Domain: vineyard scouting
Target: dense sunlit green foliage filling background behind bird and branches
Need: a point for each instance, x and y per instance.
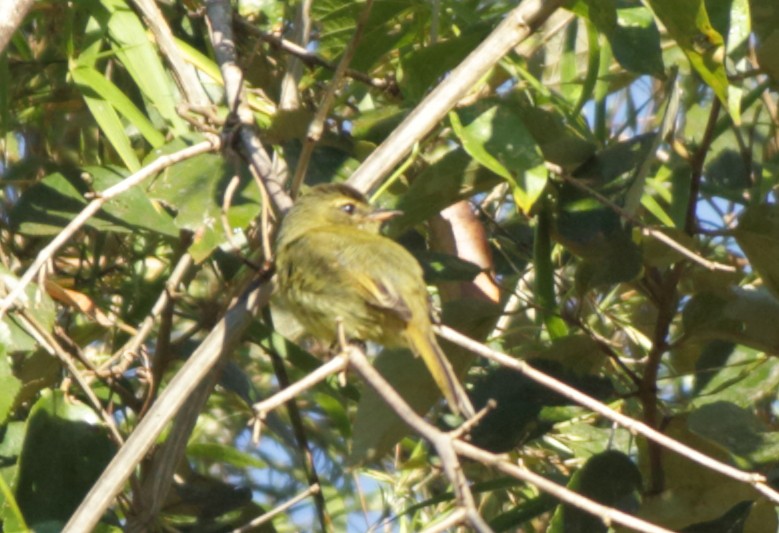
(615, 128)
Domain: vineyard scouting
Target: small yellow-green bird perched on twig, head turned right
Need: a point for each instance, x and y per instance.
(333, 264)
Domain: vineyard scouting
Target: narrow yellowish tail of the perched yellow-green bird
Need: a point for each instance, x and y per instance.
(425, 345)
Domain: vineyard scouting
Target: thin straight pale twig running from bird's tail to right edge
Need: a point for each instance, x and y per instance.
(758, 481)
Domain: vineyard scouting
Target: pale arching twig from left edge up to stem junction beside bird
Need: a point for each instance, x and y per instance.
(93, 207)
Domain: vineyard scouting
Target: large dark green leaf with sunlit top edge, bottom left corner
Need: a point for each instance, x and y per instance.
(64, 453)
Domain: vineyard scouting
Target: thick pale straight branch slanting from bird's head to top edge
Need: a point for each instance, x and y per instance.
(517, 26)
